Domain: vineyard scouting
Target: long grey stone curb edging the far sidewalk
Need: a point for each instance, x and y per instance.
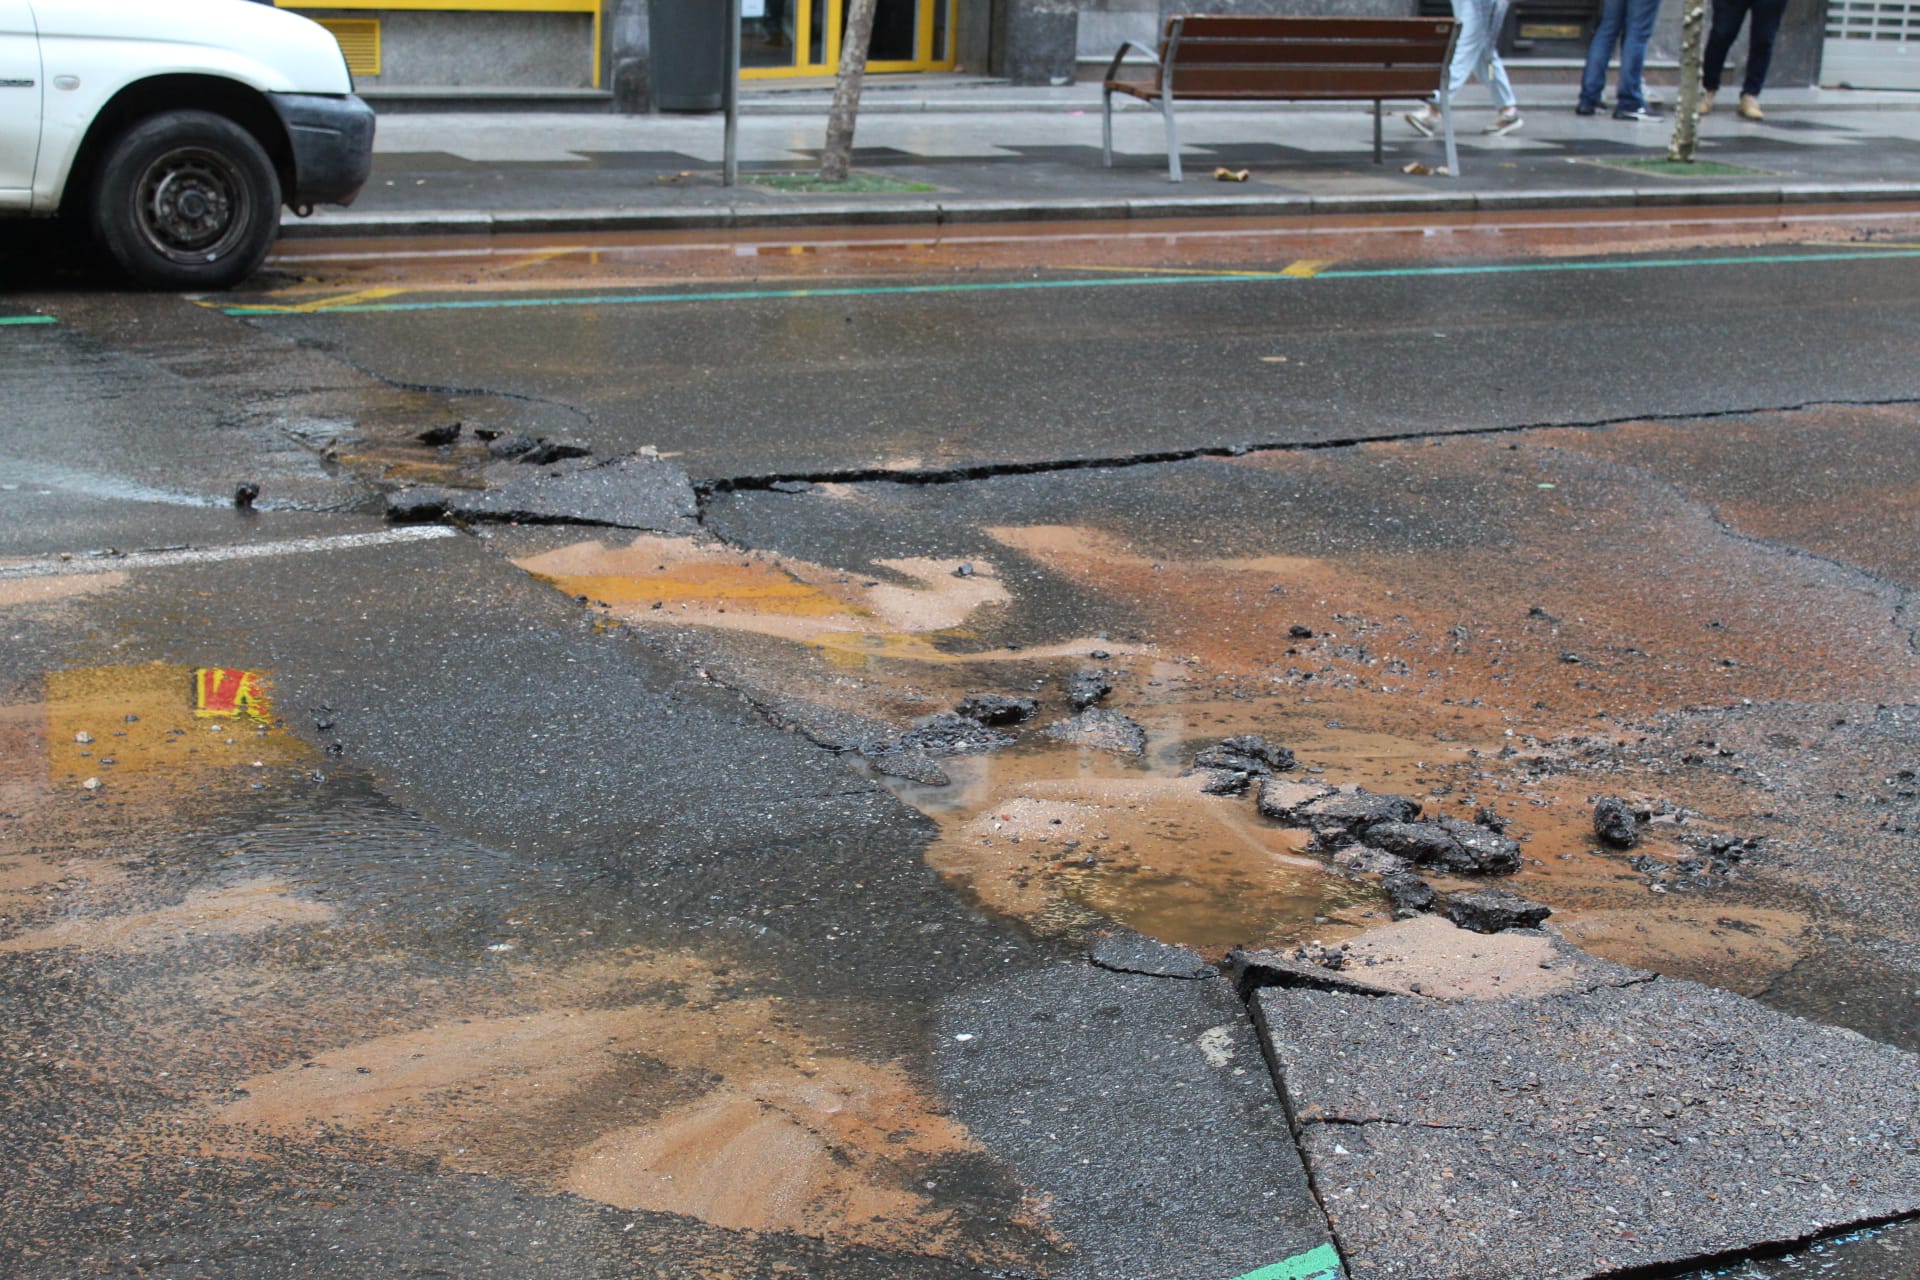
(971, 212)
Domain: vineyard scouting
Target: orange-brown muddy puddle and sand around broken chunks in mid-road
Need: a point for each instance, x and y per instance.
(1074, 840)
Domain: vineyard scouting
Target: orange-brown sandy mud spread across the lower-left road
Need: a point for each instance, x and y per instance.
(229, 953)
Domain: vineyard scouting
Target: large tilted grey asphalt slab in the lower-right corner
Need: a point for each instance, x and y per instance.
(1581, 1135)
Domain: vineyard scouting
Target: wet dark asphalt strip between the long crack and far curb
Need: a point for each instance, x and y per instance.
(811, 369)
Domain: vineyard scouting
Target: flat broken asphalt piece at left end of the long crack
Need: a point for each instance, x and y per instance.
(635, 492)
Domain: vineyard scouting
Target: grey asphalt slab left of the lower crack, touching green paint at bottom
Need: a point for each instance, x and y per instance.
(1138, 1110)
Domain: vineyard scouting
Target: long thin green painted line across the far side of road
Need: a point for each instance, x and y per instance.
(1082, 283)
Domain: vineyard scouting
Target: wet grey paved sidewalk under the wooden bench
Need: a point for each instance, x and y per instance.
(969, 151)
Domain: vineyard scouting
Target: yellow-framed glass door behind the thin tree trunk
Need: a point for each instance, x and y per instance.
(804, 37)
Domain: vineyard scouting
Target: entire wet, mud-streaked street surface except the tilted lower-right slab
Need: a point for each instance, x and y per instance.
(564, 901)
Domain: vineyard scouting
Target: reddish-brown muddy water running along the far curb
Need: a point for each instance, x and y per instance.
(333, 273)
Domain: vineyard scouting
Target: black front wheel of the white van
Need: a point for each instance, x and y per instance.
(187, 201)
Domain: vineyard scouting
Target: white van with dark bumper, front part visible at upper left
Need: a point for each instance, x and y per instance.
(176, 130)
